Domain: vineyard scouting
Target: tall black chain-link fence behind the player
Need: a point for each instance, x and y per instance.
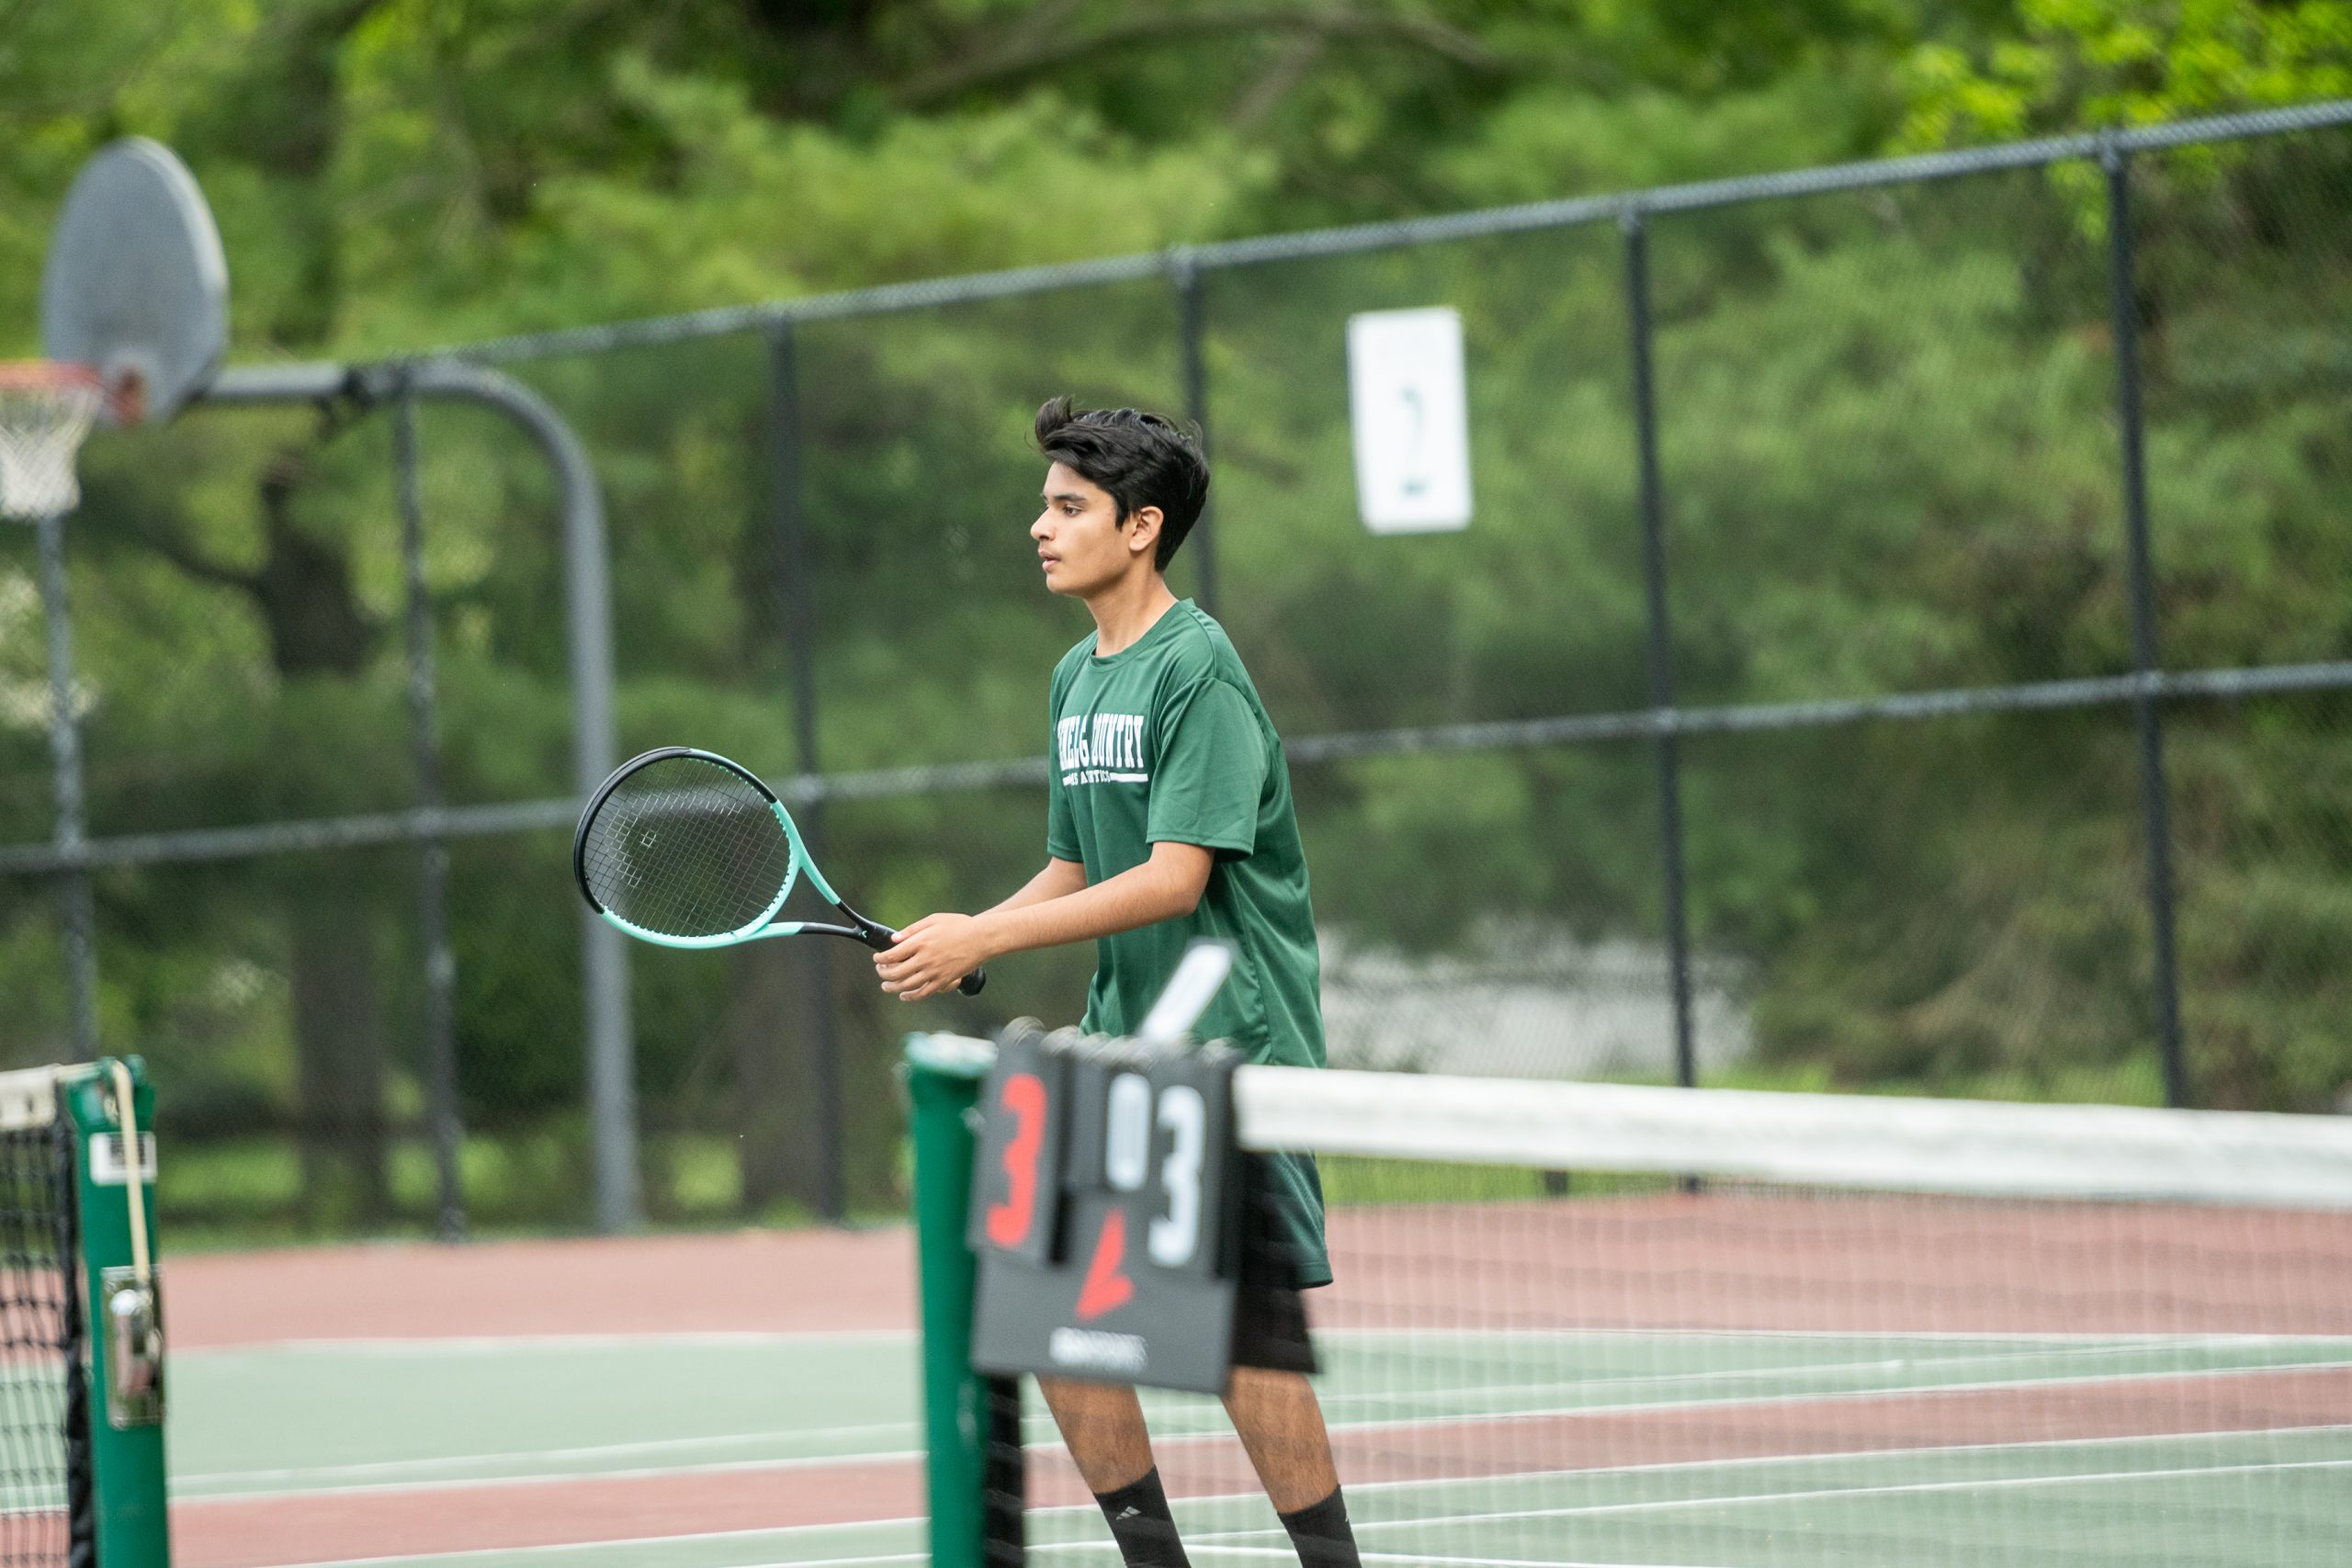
(1902, 645)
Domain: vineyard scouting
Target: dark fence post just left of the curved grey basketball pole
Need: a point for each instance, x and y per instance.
(434, 850)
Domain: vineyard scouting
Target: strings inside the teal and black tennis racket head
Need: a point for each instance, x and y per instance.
(686, 847)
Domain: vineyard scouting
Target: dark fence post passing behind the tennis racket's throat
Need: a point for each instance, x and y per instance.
(799, 608)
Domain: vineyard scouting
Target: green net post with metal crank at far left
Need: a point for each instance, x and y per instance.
(126, 1381)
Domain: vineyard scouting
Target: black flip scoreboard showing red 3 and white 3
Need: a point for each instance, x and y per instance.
(1107, 1212)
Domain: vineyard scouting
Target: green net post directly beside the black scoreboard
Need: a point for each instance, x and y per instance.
(944, 1083)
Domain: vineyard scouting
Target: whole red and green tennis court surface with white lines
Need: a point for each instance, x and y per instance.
(1732, 1376)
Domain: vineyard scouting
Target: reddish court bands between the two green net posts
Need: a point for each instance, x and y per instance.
(775, 1282)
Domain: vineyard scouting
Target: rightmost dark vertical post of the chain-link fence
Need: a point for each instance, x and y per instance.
(2156, 805)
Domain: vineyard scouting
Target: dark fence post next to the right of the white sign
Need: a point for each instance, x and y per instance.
(1662, 650)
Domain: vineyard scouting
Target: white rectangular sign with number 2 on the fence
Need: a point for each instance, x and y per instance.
(1410, 417)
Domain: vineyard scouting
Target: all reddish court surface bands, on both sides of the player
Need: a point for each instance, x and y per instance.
(1645, 1266)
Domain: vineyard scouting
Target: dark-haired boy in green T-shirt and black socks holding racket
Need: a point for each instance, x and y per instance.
(1168, 819)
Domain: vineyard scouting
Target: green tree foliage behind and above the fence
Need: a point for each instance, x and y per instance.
(1887, 436)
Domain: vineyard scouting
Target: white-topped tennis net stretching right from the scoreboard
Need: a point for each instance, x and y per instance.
(1622, 1325)
